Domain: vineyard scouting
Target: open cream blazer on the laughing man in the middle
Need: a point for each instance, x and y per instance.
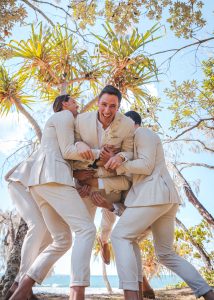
(119, 134)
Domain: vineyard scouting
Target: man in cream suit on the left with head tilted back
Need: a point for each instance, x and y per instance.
(52, 186)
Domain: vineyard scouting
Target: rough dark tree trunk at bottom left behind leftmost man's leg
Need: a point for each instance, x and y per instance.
(13, 260)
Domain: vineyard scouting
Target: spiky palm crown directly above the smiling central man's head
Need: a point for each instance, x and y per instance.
(125, 63)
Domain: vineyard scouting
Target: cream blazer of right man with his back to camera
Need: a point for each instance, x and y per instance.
(152, 184)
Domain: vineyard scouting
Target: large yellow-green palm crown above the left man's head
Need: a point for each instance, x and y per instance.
(54, 60)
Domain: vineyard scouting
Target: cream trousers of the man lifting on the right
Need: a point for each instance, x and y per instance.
(161, 218)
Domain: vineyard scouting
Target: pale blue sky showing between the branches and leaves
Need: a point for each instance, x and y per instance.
(14, 128)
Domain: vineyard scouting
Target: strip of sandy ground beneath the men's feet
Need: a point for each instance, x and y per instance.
(170, 294)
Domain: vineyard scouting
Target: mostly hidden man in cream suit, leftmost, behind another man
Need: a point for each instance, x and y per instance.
(37, 237)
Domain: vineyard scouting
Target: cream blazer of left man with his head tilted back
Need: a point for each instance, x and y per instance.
(57, 146)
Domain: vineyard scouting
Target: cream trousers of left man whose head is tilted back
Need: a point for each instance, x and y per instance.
(64, 211)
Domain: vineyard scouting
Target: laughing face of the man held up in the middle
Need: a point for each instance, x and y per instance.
(108, 105)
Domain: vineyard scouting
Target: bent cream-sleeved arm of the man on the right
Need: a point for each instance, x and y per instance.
(146, 146)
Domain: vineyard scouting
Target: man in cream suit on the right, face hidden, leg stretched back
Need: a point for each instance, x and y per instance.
(151, 202)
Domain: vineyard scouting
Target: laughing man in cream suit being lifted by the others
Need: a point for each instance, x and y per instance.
(101, 130)
